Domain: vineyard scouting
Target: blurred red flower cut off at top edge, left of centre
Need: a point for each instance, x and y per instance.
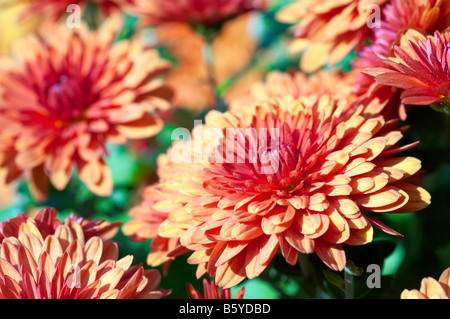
(203, 12)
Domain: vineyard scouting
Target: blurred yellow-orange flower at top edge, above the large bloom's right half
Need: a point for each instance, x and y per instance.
(328, 30)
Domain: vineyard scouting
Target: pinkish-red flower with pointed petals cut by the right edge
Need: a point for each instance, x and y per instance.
(421, 69)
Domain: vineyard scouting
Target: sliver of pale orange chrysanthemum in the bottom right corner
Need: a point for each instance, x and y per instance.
(430, 288)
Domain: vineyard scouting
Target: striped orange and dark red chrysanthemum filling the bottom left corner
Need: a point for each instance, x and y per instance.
(42, 258)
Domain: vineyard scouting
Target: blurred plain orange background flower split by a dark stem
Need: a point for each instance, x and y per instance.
(193, 81)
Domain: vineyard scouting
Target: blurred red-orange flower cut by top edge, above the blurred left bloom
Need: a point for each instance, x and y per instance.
(55, 9)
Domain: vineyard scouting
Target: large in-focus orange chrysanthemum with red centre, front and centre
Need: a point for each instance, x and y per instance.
(305, 193)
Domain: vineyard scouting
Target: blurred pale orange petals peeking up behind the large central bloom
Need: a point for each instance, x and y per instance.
(296, 84)
